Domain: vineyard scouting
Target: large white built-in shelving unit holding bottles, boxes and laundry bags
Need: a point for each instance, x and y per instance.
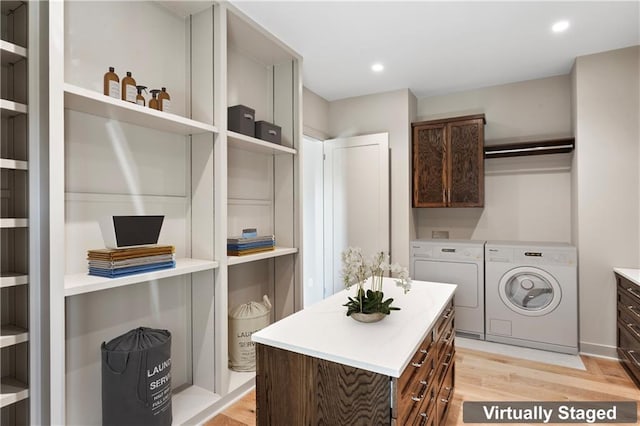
(114, 158)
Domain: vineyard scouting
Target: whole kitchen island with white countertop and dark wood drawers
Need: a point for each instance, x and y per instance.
(319, 366)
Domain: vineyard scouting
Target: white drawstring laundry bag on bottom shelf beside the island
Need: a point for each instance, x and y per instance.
(245, 320)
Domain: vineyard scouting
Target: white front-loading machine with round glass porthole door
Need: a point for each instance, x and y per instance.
(532, 295)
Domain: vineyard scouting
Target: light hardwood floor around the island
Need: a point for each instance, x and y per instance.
(482, 376)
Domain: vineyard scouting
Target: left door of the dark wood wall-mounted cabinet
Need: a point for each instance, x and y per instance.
(429, 162)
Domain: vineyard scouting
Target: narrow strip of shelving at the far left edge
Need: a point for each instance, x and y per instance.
(14, 214)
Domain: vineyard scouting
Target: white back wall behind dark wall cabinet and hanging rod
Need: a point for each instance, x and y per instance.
(526, 198)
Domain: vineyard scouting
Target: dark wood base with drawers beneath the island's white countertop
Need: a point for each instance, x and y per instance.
(297, 389)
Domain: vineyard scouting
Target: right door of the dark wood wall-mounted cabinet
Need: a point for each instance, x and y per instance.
(466, 164)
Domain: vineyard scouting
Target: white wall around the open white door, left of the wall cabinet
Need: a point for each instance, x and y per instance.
(384, 112)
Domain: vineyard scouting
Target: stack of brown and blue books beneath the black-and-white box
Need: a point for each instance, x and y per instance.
(113, 263)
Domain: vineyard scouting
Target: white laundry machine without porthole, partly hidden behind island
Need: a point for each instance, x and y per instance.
(458, 262)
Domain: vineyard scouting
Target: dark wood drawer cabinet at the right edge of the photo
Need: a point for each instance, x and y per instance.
(628, 326)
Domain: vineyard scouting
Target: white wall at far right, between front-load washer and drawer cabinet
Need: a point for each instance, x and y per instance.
(607, 188)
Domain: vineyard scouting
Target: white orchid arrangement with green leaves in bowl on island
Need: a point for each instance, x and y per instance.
(357, 271)
